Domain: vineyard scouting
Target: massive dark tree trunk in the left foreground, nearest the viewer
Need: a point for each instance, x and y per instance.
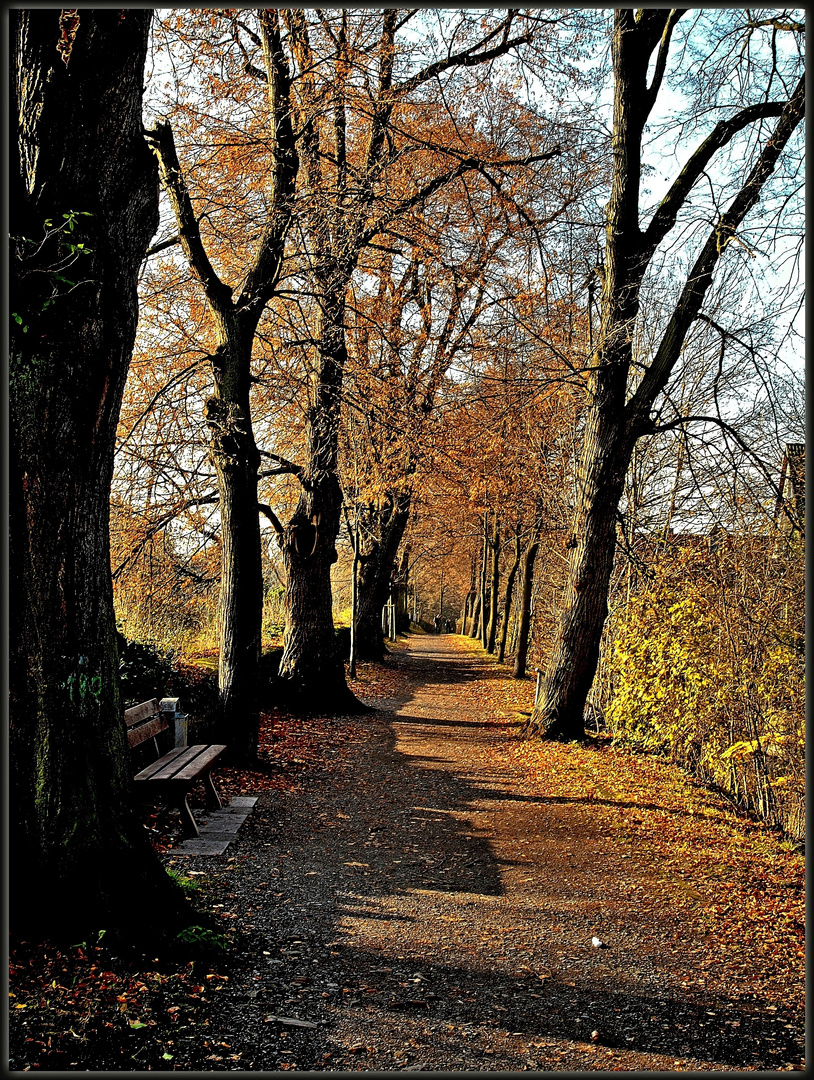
(79, 856)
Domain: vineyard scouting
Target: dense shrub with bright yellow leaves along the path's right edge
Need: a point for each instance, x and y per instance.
(708, 665)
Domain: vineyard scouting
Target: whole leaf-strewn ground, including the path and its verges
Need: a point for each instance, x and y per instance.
(418, 889)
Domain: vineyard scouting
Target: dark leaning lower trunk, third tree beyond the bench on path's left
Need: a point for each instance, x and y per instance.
(386, 528)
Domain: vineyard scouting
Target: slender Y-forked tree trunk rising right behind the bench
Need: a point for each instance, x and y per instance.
(228, 414)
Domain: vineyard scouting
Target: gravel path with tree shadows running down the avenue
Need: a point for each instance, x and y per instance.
(422, 907)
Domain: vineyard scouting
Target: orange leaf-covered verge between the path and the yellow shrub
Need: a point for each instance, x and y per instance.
(737, 880)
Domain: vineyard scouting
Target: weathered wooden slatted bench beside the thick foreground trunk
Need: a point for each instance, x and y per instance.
(170, 778)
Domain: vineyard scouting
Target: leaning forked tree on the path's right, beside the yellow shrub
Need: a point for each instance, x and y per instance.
(615, 423)
